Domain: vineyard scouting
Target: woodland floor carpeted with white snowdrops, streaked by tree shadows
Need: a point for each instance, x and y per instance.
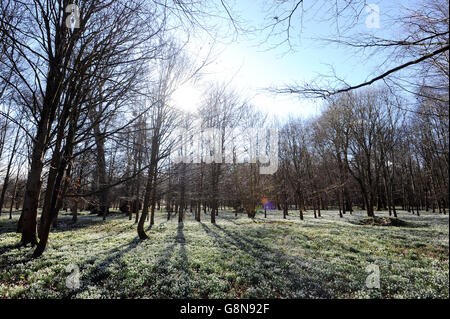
(237, 258)
